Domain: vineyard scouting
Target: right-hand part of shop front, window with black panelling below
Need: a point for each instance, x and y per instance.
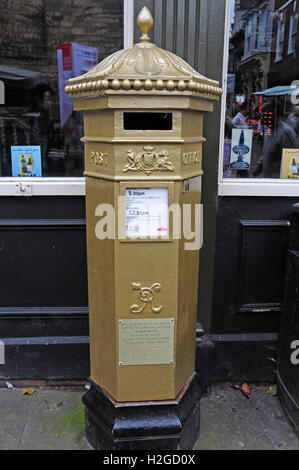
(257, 187)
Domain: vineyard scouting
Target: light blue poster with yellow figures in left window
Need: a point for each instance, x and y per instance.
(26, 161)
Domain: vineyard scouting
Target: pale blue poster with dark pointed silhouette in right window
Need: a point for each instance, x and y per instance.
(241, 148)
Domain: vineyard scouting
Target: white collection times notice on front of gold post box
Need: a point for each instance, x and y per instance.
(147, 212)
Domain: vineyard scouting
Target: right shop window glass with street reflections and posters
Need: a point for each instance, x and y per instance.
(262, 106)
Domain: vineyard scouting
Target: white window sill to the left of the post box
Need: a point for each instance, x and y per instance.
(42, 187)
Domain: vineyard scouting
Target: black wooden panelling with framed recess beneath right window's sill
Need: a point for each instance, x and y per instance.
(250, 259)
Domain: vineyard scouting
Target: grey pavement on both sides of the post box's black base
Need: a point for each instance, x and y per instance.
(54, 419)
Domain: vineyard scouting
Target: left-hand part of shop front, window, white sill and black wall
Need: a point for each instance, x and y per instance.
(44, 305)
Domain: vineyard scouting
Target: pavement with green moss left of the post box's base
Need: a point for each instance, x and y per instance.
(46, 420)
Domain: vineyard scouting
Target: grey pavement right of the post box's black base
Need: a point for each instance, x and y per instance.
(231, 421)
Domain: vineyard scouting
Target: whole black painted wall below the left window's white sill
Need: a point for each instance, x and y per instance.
(43, 288)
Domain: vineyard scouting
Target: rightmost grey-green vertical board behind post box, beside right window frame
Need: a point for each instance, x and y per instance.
(211, 33)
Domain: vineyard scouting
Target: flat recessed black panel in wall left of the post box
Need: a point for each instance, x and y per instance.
(42, 263)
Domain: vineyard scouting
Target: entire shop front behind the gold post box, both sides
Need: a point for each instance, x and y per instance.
(250, 183)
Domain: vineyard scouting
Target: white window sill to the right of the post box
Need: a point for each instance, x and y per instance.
(259, 188)
